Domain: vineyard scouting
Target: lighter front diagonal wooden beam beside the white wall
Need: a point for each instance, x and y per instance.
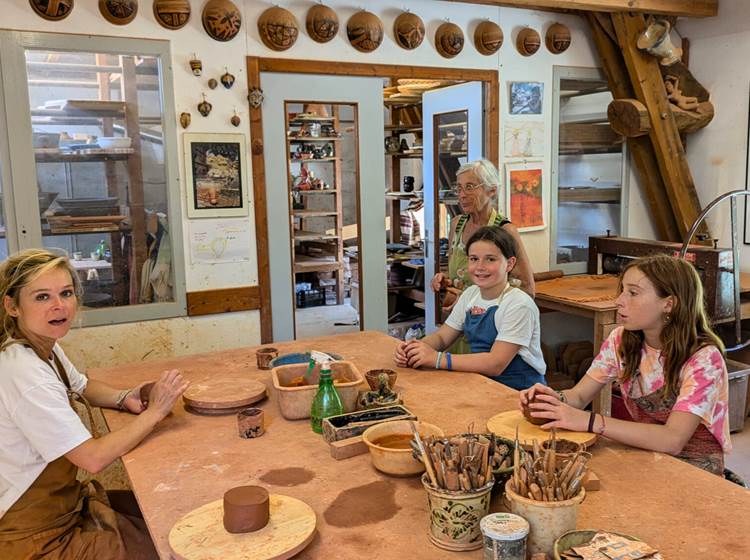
(648, 86)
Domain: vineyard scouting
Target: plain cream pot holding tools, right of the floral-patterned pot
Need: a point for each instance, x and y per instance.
(548, 520)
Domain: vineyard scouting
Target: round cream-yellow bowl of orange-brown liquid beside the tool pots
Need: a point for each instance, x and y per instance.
(396, 462)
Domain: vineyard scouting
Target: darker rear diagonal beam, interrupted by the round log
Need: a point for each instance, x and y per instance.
(641, 150)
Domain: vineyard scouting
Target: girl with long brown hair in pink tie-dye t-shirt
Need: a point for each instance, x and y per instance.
(669, 364)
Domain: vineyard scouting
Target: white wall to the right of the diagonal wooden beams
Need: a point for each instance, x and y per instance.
(718, 153)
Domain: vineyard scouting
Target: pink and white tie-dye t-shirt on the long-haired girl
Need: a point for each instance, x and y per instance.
(704, 383)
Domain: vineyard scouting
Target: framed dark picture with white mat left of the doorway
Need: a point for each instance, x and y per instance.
(216, 175)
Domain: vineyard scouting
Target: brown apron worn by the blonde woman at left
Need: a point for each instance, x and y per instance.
(59, 517)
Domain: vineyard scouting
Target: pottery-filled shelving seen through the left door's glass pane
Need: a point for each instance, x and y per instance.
(315, 196)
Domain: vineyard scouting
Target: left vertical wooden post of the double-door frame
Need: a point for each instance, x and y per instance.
(259, 199)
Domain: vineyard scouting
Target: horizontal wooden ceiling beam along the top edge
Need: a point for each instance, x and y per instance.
(682, 8)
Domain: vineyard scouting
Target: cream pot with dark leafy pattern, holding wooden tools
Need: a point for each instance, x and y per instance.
(455, 515)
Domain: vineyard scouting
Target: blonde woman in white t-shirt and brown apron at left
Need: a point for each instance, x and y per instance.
(45, 511)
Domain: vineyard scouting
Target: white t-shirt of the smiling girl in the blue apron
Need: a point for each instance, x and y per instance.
(516, 321)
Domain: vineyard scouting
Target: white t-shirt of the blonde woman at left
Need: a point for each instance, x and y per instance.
(37, 423)
